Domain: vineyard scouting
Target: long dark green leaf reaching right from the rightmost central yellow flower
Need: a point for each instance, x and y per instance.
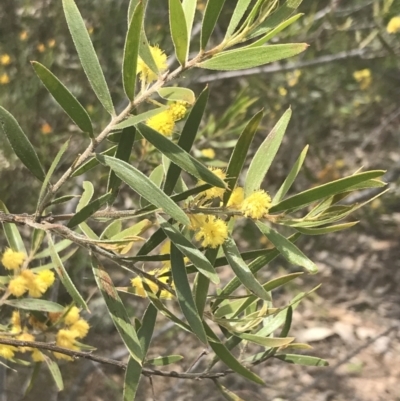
(332, 188)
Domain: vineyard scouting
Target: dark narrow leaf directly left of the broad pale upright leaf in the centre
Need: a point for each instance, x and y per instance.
(239, 153)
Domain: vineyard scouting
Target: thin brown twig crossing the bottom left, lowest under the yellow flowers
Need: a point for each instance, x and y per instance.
(107, 361)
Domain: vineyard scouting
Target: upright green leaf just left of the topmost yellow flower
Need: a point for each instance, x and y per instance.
(131, 51)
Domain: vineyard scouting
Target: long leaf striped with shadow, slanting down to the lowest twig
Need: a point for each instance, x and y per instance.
(117, 311)
